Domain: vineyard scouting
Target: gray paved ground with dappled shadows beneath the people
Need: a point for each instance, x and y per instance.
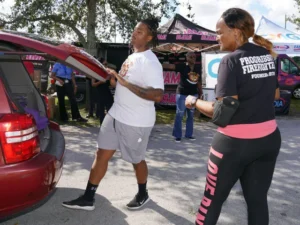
(176, 183)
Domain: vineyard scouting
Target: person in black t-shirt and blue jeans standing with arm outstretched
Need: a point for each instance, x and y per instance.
(190, 84)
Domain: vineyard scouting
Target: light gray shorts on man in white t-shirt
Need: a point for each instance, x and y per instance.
(131, 141)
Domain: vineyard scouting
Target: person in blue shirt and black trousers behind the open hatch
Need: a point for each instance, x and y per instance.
(66, 86)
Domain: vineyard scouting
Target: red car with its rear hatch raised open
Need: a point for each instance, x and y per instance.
(31, 147)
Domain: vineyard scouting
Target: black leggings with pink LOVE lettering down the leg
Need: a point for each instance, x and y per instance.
(252, 161)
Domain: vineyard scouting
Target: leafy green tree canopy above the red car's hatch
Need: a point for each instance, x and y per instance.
(90, 20)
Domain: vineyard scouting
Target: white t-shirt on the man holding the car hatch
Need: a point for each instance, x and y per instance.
(142, 69)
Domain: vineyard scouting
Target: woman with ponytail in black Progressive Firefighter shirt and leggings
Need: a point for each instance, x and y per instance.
(246, 147)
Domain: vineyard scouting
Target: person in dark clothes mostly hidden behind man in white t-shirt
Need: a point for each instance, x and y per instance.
(102, 94)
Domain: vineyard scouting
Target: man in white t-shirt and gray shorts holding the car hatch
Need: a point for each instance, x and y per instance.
(129, 122)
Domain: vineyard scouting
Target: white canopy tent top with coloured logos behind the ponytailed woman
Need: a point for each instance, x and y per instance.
(284, 41)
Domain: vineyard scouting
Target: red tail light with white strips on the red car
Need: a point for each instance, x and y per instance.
(19, 137)
